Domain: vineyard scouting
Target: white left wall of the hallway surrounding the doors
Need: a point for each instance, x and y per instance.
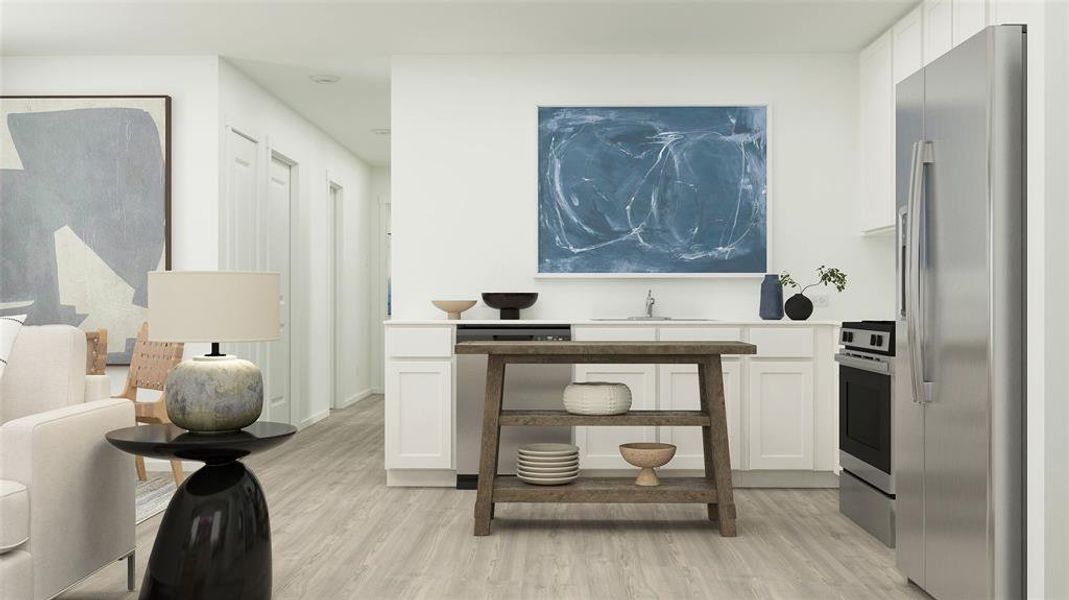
(252, 111)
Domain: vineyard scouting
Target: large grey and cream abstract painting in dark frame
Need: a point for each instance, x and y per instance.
(85, 207)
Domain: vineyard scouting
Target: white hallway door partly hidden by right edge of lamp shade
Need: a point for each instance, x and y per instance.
(280, 405)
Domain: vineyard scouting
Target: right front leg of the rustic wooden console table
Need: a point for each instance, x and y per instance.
(716, 448)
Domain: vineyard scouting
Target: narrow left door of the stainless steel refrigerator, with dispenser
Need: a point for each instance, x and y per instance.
(908, 442)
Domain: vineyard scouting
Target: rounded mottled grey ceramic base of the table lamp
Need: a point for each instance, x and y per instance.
(214, 394)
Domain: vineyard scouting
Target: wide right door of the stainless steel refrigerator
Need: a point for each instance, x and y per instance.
(957, 307)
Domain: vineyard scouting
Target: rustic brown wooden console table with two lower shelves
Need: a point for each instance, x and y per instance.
(714, 490)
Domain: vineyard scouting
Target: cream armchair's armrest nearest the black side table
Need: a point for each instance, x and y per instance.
(82, 489)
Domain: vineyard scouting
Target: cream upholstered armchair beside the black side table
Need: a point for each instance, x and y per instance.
(67, 497)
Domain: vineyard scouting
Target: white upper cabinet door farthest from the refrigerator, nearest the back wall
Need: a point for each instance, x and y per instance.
(877, 135)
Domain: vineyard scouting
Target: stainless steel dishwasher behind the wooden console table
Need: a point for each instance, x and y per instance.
(526, 387)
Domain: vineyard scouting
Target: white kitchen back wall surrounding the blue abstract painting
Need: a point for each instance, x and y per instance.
(464, 162)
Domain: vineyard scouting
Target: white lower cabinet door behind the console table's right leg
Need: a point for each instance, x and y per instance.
(679, 392)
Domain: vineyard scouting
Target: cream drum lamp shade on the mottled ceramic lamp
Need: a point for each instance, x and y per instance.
(213, 306)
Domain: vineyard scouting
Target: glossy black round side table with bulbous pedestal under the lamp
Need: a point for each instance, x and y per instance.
(214, 542)
